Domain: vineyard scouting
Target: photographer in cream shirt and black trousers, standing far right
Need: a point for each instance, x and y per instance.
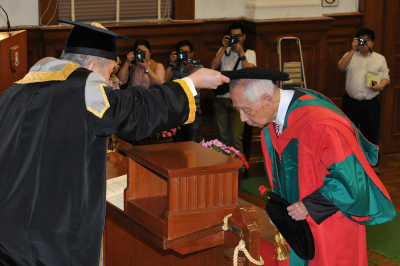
(361, 103)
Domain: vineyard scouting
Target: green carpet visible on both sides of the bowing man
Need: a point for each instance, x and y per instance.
(383, 239)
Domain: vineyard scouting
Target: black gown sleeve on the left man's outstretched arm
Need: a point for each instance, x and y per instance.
(138, 112)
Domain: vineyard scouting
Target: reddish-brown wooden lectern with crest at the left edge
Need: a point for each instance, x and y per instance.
(13, 56)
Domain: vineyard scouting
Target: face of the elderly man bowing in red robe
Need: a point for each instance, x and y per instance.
(256, 114)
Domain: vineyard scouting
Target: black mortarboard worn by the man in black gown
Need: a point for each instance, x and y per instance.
(92, 40)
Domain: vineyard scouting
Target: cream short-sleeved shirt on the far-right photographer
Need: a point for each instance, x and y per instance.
(356, 74)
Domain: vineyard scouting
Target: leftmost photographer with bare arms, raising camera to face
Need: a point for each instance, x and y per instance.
(141, 72)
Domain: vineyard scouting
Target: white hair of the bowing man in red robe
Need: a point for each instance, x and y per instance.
(254, 88)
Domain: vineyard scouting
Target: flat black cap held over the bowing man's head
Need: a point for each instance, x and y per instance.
(256, 73)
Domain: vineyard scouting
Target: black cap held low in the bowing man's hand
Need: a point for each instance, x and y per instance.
(296, 233)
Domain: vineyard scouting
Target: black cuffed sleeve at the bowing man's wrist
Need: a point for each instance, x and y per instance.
(319, 207)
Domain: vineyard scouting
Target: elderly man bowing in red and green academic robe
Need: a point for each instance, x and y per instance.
(320, 164)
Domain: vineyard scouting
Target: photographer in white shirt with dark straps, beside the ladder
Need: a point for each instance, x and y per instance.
(231, 56)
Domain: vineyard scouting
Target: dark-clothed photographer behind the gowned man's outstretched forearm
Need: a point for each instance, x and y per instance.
(182, 65)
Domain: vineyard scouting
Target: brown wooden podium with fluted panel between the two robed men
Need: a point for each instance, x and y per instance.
(176, 198)
